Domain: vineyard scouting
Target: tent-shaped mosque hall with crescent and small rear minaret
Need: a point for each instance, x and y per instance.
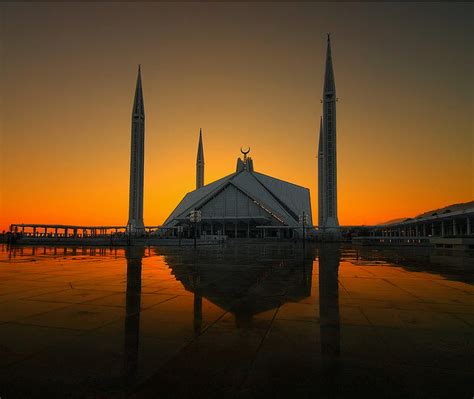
(244, 204)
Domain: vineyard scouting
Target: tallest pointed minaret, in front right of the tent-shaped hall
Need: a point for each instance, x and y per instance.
(329, 160)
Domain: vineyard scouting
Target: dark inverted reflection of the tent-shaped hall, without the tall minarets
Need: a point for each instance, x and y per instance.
(242, 289)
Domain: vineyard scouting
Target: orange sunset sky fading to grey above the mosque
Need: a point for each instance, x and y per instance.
(249, 75)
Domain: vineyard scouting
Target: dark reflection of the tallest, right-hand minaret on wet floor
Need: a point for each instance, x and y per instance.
(329, 256)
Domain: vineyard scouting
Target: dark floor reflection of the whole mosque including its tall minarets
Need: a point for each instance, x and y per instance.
(222, 277)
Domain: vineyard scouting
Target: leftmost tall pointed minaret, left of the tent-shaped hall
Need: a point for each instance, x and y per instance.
(137, 155)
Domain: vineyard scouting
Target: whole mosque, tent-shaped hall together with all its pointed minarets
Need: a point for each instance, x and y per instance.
(246, 203)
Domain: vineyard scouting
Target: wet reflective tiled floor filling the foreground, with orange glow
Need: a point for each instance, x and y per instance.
(244, 320)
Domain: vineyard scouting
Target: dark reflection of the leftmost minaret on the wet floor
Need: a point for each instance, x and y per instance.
(134, 257)
